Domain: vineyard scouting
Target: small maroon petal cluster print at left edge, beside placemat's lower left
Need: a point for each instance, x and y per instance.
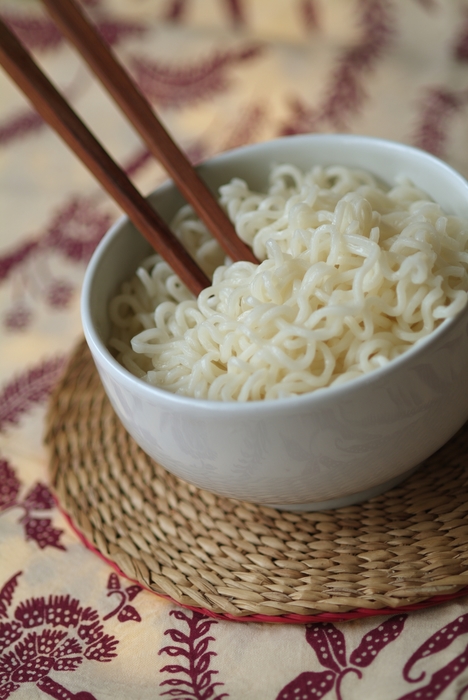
(36, 528)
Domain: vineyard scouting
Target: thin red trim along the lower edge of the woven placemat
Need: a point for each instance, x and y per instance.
(293, 618)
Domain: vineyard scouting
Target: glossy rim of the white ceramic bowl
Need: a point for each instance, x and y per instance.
(289, 404)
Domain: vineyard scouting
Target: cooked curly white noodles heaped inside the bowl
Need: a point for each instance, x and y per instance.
(352, 276)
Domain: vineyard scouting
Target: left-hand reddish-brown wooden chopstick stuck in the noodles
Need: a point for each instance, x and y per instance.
(54, 109)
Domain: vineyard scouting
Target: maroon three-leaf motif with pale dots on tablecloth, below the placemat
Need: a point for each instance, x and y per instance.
(329, 645)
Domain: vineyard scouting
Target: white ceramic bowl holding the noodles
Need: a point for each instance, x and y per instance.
(327, 449)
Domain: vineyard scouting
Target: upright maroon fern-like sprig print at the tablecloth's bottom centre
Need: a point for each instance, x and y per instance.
(193, 675)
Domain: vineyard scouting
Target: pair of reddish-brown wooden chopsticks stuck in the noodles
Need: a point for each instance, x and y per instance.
(54, 109)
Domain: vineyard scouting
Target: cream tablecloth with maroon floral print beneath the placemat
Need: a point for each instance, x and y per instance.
(221, 73)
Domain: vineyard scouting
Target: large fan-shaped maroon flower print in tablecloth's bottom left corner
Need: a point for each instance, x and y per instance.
(43, 637)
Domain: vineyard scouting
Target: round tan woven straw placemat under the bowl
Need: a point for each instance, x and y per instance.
(404, 549)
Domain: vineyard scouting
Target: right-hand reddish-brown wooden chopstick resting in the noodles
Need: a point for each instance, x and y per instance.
(76, 27)
